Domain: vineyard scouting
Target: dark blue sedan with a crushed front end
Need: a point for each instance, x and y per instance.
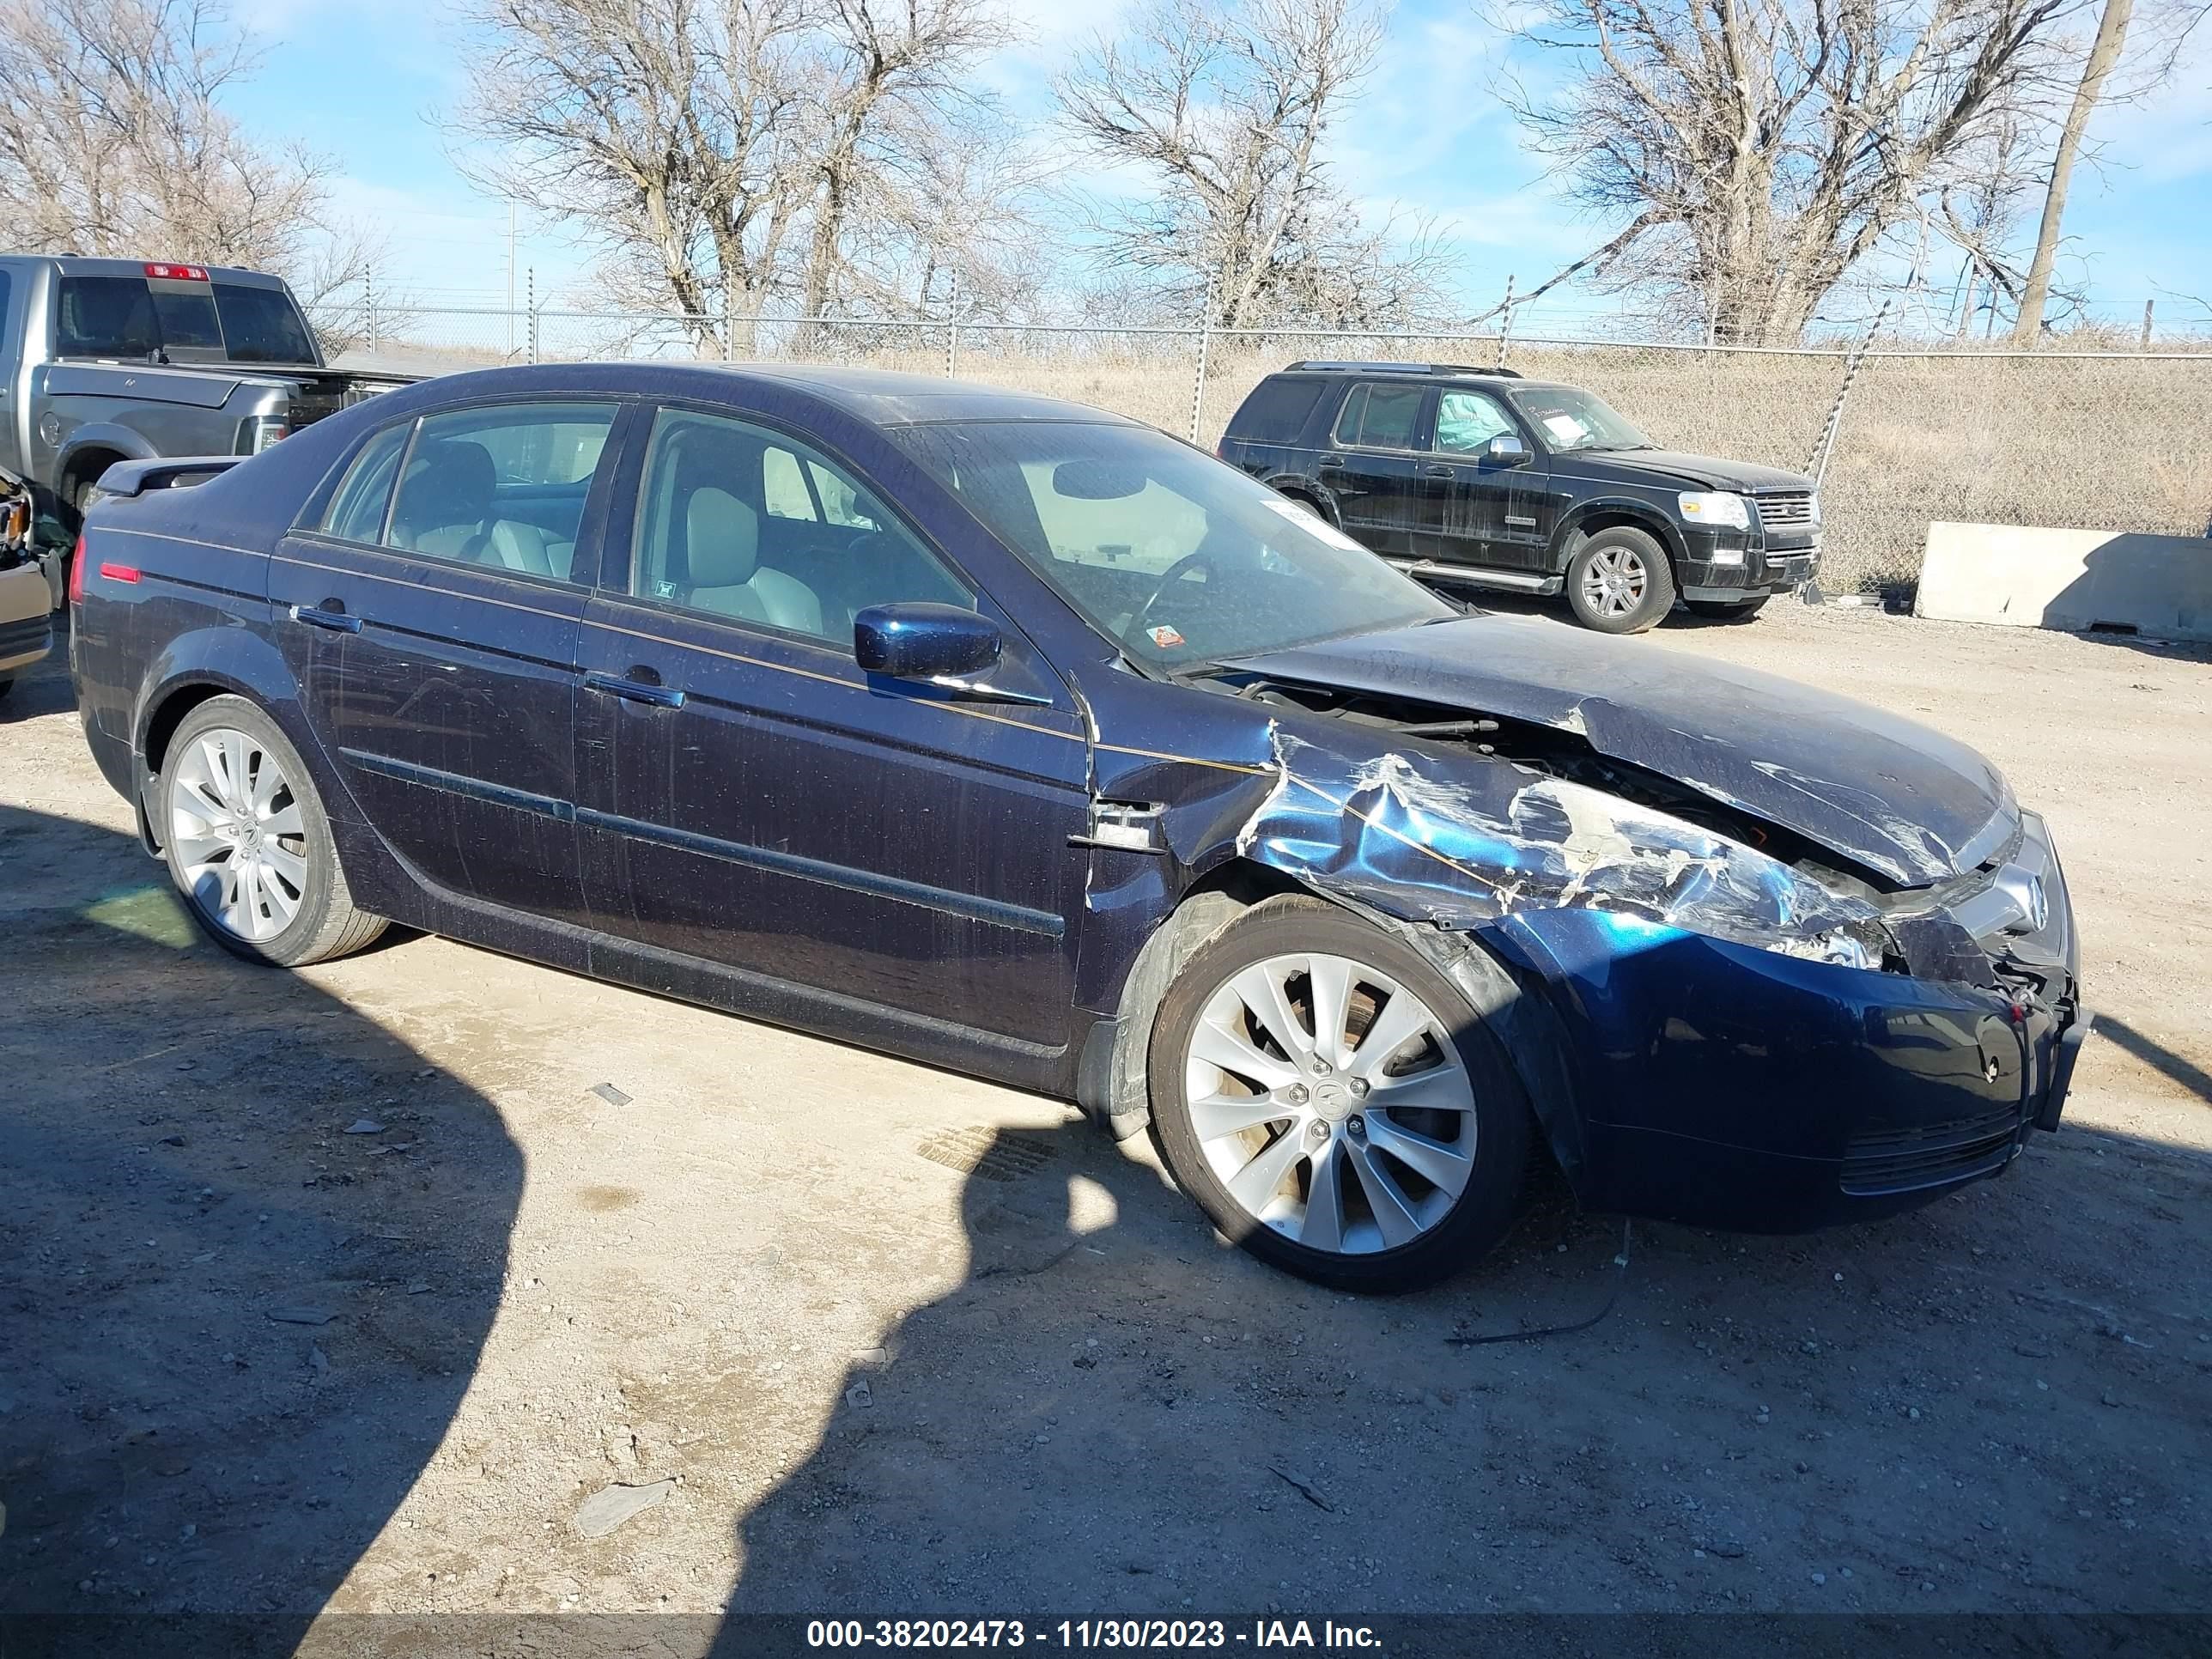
(1023, 740)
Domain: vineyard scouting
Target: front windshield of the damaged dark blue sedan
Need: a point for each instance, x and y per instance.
(1173, 556)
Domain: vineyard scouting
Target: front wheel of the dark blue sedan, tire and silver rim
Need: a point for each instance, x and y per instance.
(1335, 1105)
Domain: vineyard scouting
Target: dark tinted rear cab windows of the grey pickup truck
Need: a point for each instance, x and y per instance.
(185, 322)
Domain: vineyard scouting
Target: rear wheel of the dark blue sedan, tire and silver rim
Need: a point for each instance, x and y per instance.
(249, 842)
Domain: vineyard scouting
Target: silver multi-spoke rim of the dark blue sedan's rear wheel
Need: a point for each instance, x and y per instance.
(238, 835)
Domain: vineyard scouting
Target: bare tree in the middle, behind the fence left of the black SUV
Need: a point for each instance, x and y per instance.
(1229, 109)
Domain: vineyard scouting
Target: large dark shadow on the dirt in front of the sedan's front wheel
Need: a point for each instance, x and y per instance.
(1990, 1406)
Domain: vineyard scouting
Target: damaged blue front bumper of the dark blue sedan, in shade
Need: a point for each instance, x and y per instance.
(1724, 1085)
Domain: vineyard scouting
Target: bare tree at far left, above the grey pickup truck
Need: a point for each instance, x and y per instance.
(114, 138)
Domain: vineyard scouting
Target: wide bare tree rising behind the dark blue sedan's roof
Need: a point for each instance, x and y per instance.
(722, 154)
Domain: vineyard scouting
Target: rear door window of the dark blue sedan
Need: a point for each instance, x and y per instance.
(501, 486)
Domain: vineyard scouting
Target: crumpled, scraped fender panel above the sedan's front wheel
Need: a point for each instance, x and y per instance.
(1494, 839)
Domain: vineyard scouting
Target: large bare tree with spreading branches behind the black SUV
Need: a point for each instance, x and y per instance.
(1762, 149)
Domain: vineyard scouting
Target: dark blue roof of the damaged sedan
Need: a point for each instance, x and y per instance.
(879, 397)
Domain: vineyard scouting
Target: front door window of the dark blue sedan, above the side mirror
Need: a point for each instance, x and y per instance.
(749, 525)
